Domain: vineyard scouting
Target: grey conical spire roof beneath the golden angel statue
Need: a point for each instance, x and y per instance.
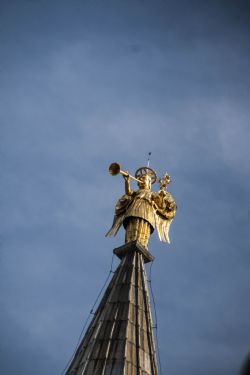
(119, 340)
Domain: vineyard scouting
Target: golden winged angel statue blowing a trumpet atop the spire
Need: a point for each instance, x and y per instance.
(142, 211)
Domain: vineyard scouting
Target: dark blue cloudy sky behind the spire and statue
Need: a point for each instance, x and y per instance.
(86, 83)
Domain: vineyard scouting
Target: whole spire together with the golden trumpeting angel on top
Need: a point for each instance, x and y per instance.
(120, 340)
